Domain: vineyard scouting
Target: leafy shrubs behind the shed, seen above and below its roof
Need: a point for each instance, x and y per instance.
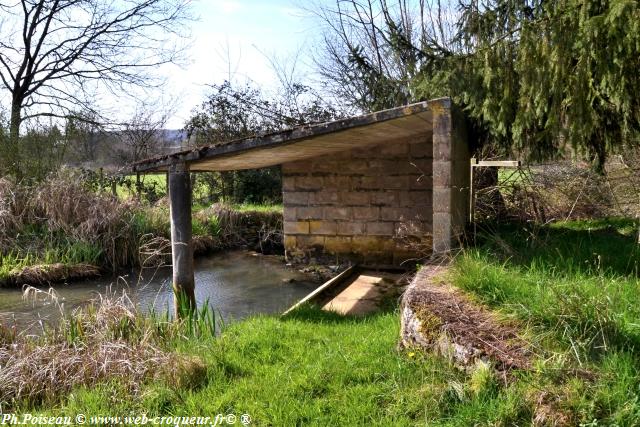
(232, 112)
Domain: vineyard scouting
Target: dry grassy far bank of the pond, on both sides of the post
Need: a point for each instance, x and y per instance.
(55, 230)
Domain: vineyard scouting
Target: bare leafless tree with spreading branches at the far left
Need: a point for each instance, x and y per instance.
(54, 54)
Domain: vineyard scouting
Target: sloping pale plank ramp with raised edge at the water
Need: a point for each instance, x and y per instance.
(355, 291)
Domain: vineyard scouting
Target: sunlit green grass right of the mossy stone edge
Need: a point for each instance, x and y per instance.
(576, 285)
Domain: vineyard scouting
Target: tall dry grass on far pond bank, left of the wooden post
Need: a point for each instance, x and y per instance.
(65, 220)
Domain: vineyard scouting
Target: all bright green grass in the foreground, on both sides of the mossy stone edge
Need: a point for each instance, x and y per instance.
(571, 287)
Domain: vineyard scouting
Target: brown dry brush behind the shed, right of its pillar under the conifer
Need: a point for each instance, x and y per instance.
(564, 190)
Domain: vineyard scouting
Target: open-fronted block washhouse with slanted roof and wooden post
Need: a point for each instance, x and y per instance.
(377, 189)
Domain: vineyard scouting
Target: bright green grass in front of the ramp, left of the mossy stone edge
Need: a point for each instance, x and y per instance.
(313, 368)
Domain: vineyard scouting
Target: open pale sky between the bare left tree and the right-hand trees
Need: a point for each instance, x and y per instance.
(235, 39)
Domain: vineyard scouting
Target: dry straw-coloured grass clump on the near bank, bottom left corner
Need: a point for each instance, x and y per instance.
(109, 340)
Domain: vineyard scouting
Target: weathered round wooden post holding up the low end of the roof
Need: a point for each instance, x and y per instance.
(181, 244)
